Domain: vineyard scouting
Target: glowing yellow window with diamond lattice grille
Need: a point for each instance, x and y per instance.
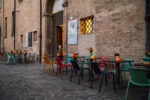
(87, 25)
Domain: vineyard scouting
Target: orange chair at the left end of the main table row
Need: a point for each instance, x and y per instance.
(48, 63)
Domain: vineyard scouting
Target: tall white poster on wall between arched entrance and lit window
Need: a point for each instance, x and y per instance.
(72, 32)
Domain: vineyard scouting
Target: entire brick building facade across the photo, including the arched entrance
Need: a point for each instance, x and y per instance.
(119, 26)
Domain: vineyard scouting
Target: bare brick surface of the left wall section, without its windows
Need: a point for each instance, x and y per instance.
(27, 20)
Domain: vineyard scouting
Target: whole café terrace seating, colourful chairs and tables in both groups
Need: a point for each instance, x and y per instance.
(119, 75)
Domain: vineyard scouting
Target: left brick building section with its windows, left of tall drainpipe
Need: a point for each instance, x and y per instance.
(26, 21)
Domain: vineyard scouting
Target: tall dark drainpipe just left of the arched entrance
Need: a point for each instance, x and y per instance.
(40, 32)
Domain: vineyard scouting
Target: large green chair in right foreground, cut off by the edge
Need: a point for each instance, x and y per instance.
(138, 77)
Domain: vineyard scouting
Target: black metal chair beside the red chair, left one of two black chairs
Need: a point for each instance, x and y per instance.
(77, 68)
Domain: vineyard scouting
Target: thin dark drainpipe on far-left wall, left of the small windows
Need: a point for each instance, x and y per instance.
(14, 24)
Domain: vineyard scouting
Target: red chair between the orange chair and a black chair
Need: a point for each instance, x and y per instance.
(62, 66)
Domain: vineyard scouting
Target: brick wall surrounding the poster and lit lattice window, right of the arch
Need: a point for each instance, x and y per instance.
(119, 27)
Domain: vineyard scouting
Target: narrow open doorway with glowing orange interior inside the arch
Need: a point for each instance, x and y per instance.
(60, 31)
